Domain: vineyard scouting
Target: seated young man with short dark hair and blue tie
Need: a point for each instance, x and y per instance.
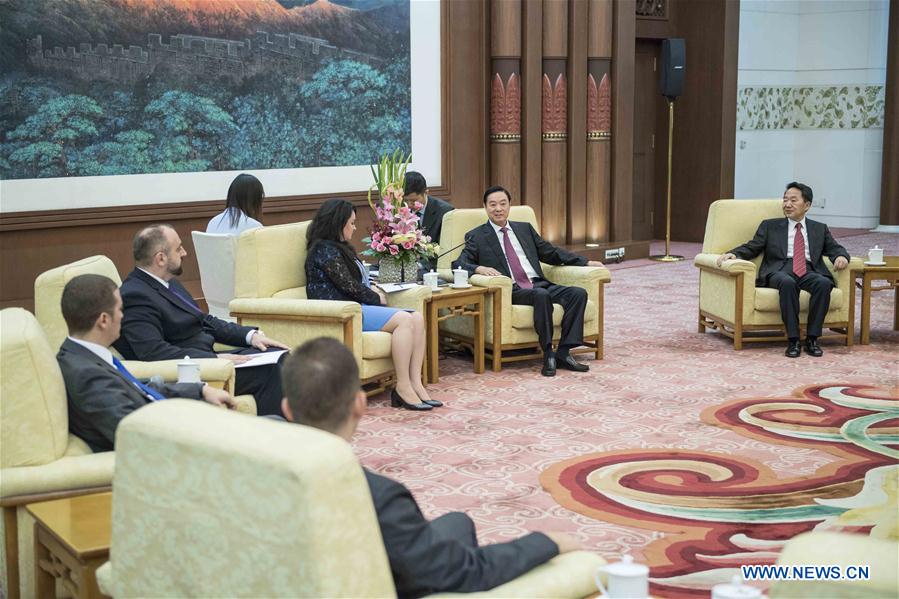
(99, 388)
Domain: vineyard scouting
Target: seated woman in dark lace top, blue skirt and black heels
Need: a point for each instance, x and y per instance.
(334, 272)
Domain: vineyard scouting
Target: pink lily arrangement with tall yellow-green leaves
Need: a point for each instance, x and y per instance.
(395, 232)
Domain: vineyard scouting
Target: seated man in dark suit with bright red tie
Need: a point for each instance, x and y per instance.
(793, 249)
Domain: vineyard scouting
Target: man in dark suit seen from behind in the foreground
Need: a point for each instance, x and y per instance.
(322, 388)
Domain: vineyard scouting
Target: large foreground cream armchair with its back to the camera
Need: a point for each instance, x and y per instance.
(186, 517)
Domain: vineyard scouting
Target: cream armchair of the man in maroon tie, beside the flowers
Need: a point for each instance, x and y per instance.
(511, 327)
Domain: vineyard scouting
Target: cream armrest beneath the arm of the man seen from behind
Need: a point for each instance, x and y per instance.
(567, 575)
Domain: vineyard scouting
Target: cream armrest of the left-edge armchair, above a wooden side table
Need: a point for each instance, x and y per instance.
(68, 473)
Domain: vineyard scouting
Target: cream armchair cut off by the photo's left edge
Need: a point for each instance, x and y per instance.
(39, 460)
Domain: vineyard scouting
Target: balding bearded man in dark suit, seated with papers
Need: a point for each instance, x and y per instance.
(162, 322)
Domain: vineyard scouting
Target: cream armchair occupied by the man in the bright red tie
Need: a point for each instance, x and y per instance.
(729, 301)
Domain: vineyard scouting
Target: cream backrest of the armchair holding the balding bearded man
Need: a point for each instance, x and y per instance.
(48, 292)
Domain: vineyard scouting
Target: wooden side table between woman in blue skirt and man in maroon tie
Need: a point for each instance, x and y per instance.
(470, 301)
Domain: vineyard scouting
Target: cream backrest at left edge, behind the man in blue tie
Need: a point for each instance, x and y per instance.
(34, 420)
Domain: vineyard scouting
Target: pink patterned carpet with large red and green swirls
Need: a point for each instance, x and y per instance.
(663, 392)
